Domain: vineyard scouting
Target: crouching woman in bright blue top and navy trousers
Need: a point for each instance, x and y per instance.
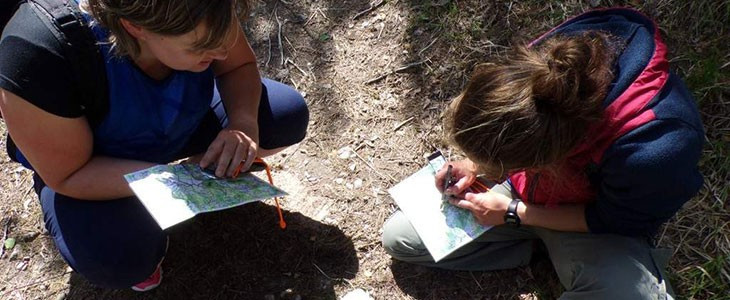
(179, 80)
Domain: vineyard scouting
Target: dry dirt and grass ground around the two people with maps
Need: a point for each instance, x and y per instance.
(377, 77)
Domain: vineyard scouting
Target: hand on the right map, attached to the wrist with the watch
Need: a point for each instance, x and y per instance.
(488, 208)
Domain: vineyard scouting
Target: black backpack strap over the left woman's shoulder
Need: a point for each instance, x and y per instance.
(66, 21)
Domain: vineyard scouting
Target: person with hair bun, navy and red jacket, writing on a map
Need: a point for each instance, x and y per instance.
(596, 143)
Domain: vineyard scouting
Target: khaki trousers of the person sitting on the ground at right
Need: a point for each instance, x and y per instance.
(589, 266)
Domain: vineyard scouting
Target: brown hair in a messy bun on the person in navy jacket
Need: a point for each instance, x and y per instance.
(530, 109)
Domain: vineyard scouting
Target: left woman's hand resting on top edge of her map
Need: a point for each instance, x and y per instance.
(229, 149)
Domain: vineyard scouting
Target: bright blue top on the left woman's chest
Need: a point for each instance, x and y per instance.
(149, 120)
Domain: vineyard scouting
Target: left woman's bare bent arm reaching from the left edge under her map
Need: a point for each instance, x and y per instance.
(60, 150)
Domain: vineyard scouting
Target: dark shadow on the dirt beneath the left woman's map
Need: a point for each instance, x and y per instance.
(241, 253)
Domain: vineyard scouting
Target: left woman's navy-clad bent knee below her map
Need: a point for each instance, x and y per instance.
(113, 244)
